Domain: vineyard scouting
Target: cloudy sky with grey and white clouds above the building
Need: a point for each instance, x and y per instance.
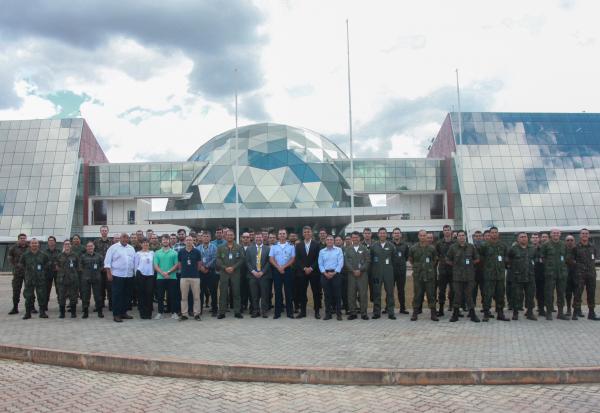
(155, 80)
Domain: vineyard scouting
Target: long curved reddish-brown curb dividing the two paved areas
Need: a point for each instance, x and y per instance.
(192, 369)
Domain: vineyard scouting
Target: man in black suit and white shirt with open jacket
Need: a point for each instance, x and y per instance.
(307, 272)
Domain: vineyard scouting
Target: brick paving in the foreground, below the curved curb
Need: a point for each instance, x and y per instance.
(28, 387)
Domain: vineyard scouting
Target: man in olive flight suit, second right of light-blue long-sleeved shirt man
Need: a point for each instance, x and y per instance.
(383, 254)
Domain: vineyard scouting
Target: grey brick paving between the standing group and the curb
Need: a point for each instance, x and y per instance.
(308, 342)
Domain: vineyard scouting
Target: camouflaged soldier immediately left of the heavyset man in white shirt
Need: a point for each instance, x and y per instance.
(90, 267)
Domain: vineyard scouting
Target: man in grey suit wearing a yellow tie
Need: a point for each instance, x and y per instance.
(259, 276)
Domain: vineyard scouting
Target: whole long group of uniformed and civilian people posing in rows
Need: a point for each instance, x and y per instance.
(184, 273)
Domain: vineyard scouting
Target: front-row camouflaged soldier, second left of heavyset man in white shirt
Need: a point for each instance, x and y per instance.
(67, 280)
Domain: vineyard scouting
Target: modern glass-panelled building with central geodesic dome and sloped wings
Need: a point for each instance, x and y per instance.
(518, 171)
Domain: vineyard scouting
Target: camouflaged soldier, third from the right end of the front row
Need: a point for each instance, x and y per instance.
(521, 259)
